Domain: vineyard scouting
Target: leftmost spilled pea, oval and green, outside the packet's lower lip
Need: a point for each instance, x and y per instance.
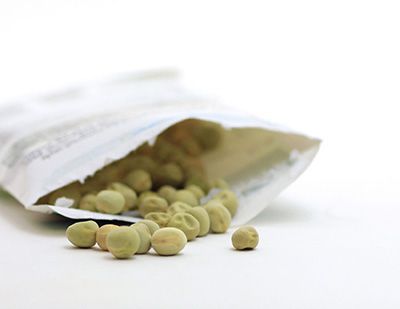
(82, 234)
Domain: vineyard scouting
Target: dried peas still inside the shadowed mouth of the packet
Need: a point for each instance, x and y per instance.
(168, 171)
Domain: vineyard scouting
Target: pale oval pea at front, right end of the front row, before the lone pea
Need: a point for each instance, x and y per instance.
(168, 241)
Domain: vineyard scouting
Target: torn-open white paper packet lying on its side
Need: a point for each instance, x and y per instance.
(52, 140)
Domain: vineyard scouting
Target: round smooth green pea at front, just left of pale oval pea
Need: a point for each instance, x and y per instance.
(123, 242)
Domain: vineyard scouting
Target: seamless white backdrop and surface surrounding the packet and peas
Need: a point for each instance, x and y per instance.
(330, 68)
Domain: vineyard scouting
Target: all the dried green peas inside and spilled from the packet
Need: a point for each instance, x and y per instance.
(167, 185)
